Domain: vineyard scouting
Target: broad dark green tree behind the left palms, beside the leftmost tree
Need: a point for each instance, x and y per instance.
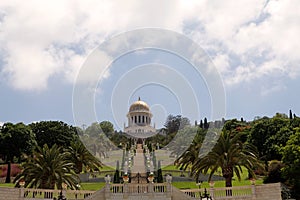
(53, 132)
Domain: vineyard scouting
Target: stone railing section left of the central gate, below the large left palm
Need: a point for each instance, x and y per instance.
(30, 193)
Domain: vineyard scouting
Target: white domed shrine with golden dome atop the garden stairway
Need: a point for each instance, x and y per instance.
(139, 120)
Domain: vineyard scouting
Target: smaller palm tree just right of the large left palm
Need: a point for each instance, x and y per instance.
(81, 157)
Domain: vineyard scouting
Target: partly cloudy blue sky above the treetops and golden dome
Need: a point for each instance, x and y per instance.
(85, 61)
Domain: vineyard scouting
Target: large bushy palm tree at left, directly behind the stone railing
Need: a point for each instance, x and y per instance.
(48, 168)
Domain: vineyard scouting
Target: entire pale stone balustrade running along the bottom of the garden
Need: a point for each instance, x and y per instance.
(159, 191)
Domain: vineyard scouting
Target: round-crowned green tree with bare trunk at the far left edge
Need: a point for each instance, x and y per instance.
(15, 139)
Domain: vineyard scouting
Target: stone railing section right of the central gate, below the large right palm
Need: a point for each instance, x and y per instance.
(240, 192)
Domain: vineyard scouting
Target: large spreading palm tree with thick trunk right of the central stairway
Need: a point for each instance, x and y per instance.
(229, 154)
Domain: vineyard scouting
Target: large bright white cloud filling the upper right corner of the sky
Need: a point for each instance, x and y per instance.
(269, 47)
